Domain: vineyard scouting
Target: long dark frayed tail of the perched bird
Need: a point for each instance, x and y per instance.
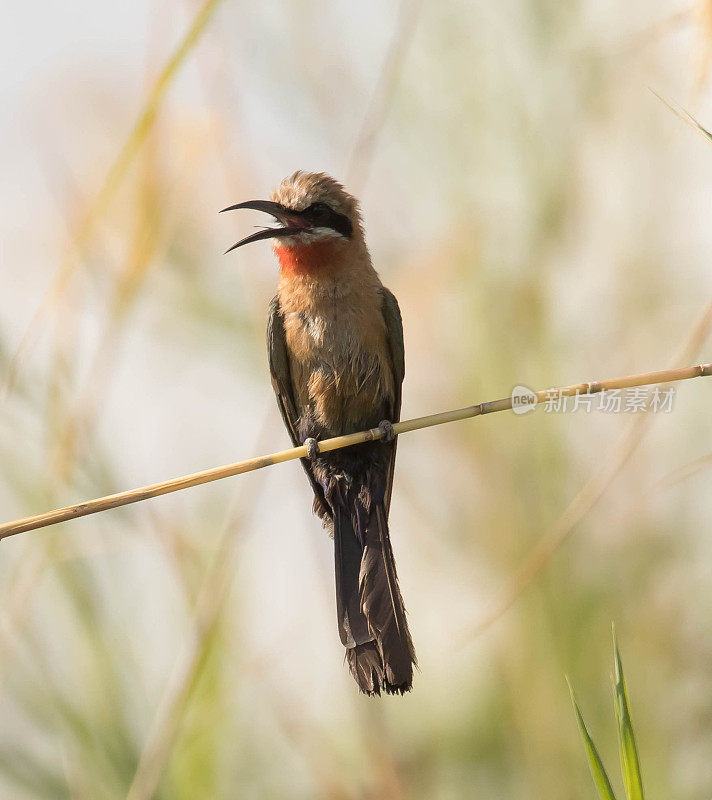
(371, 615)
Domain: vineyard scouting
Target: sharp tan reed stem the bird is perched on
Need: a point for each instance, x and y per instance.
(335, 443)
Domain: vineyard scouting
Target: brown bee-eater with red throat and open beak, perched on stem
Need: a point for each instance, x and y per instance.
(336, 357)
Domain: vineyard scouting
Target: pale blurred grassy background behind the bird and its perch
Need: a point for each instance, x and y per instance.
(543, 219)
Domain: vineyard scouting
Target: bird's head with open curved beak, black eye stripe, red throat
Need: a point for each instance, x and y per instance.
(317, 219)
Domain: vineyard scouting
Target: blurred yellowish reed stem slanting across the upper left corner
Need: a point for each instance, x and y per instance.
(111, 184)
